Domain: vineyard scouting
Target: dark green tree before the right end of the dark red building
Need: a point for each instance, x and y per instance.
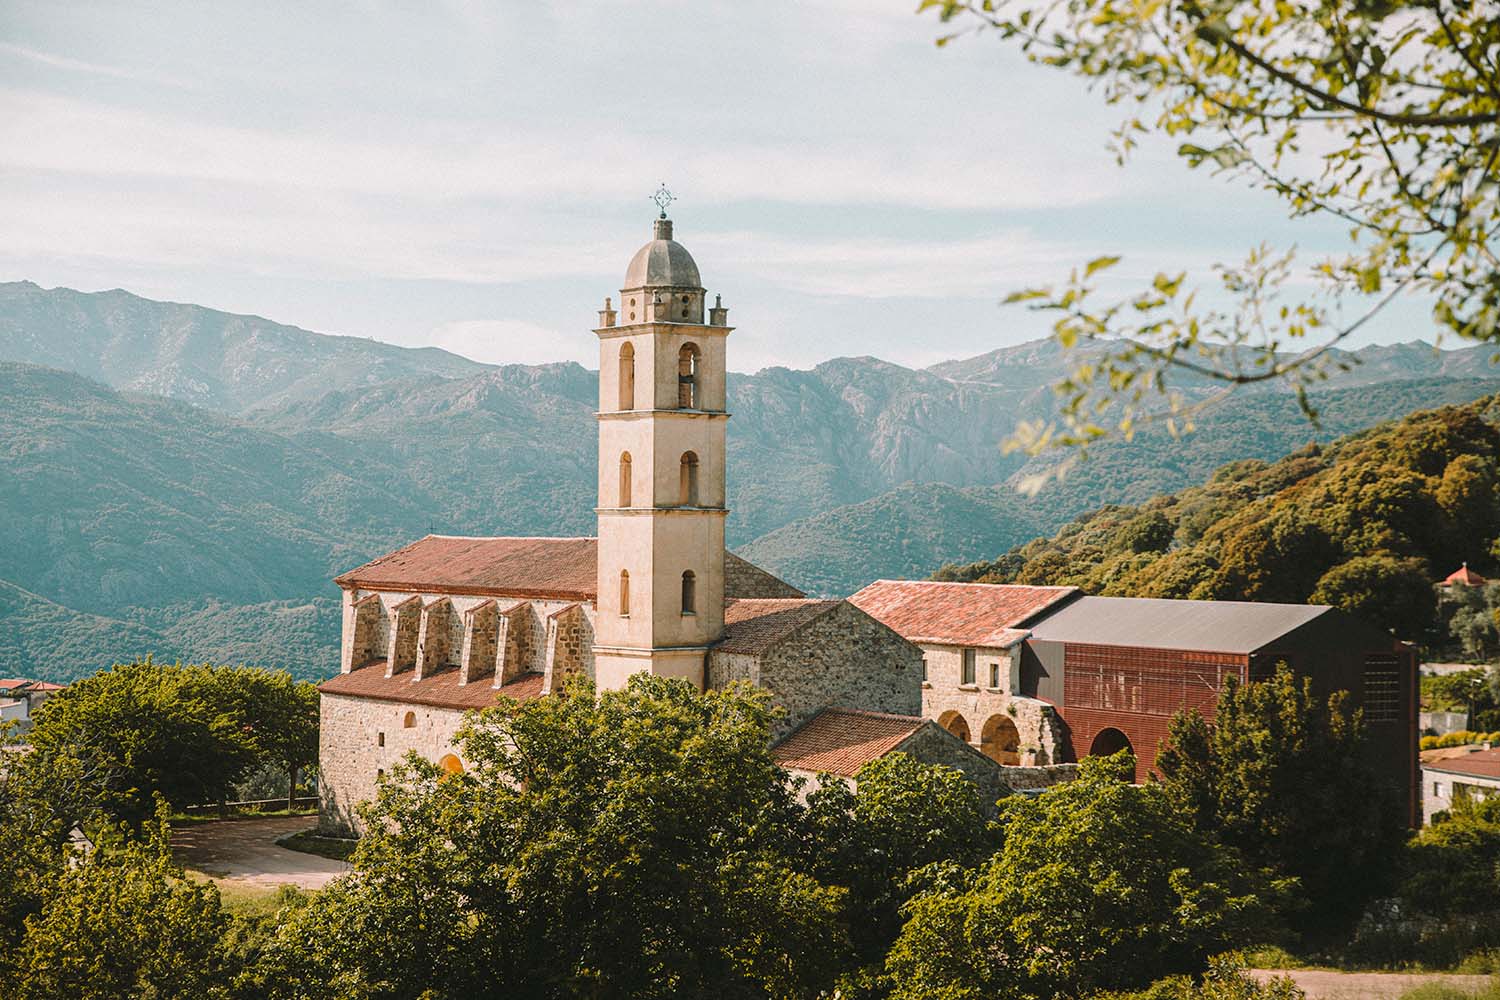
(1283, 776)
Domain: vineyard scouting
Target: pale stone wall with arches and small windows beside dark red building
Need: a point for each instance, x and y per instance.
(982, 714)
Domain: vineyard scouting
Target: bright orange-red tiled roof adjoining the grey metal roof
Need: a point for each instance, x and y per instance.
(959, 614)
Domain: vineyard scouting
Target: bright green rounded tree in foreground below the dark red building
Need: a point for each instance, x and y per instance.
(1100, 885)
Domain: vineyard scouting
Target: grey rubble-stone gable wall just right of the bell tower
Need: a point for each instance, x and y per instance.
(842, 659)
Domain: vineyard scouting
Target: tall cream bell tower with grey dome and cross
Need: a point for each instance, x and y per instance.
(661, 470)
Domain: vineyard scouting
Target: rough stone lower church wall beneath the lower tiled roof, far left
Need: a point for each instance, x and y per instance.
(361, 740)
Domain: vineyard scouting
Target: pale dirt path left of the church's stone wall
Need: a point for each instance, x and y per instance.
(245, 852)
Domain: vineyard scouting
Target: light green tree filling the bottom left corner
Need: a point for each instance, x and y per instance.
(122, 921)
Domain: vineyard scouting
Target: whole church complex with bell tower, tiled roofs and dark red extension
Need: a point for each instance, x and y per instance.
(1009, 684)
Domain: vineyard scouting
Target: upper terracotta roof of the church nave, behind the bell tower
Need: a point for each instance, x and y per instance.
(562, 569)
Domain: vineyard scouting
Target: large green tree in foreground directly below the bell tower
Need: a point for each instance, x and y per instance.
(637, 845)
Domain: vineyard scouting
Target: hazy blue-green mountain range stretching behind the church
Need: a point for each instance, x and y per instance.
(187, 482)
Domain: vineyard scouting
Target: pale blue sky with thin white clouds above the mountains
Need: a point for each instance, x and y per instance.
(476, 176)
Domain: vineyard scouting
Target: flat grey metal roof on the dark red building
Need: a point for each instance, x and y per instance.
(1163, 624)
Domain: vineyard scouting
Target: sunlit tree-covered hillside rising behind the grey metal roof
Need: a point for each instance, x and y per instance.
(1366, 524)
